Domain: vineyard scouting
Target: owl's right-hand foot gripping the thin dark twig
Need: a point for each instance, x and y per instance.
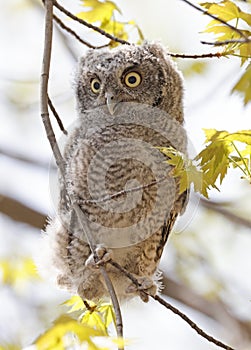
(145, 287)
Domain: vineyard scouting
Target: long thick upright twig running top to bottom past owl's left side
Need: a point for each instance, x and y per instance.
(59, 159)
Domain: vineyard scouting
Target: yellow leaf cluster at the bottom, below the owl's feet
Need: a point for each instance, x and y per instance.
(93, 321)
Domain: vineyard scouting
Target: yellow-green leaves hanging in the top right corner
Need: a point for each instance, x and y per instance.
(234, 43)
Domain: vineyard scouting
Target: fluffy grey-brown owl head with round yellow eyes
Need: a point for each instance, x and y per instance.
(130, 73)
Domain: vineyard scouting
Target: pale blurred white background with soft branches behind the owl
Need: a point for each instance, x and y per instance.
(207, 261)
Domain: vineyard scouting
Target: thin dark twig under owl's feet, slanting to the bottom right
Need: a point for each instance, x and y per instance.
(172, 308)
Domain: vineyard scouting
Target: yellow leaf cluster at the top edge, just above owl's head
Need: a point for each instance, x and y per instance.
(104, 14)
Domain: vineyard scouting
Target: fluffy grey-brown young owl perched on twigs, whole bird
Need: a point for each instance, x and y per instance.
(129, 103)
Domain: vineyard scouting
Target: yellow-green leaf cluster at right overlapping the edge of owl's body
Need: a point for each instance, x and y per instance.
(223, 150)
